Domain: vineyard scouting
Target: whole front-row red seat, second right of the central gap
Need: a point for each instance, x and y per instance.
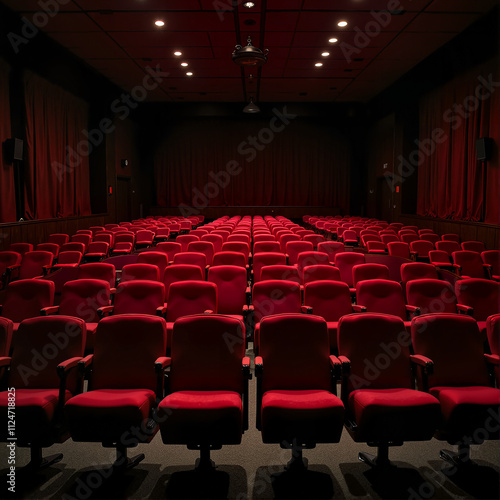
(382, 407)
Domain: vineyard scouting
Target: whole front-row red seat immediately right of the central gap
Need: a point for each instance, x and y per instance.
(297, 406)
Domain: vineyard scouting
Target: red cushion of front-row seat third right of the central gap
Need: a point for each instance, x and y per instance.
(466, 409)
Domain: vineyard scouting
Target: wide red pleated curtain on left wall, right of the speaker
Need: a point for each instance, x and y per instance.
(56, 174)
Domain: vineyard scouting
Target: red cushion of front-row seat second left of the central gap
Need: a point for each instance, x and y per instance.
(106, 415)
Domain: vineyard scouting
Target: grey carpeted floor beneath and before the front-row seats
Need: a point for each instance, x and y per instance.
(256, 470)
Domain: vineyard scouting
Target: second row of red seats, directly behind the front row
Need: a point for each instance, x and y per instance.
(227, 292)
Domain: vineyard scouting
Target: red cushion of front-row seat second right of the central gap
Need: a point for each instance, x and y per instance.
(394, 414)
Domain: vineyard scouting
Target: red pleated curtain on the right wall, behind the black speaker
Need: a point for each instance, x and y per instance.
(452, 183)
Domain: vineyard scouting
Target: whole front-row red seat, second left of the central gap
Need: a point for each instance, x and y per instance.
(124, 388)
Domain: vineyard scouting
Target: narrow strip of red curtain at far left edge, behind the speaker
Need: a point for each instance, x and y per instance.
(7, 189)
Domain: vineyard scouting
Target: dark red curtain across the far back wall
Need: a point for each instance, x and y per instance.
(278, 162)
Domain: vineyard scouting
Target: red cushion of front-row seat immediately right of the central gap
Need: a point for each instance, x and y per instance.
(314, 416)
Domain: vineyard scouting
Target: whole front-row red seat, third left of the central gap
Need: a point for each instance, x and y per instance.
(40, 395)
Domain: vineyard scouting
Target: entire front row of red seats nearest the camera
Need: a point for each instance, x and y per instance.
(204, 402)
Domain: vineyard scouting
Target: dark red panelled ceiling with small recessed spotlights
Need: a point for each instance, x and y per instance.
(382, 41)
